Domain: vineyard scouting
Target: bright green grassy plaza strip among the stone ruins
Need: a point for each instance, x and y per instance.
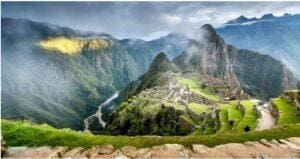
(195, 86)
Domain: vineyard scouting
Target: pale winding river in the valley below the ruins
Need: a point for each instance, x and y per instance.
(98, 113)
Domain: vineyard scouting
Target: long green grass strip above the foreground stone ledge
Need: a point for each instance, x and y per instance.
(17, 134)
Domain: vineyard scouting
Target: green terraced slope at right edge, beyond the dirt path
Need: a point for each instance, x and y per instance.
(287, 111)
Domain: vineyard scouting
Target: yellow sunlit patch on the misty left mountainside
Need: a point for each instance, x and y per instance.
(72, 45)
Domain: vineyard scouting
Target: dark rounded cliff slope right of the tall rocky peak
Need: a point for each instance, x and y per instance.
(260, 75)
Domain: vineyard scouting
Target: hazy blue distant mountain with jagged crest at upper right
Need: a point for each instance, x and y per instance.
(278, 37)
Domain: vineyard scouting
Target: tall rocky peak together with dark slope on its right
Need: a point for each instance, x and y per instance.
(259, 75)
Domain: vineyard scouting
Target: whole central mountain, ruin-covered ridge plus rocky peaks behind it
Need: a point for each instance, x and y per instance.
(202, 91)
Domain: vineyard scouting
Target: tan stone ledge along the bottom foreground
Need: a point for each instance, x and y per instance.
(283, 148)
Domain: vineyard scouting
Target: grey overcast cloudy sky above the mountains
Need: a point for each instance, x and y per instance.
(145, 20)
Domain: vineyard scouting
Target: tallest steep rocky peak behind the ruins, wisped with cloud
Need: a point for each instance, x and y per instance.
(207, 54)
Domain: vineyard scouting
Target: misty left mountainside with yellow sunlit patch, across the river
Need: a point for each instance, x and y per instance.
(56, 75)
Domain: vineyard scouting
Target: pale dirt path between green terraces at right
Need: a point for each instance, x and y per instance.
(266, 121)
